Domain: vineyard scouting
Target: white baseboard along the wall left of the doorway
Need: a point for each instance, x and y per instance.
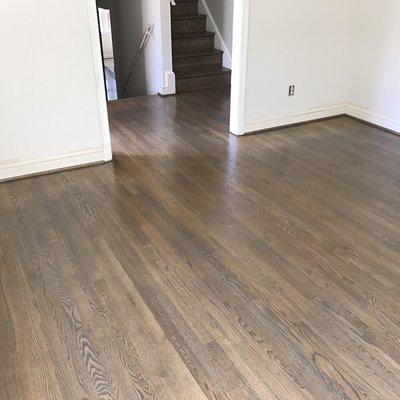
(47, 164)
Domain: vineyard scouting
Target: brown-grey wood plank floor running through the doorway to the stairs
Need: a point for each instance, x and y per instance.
(198, 265)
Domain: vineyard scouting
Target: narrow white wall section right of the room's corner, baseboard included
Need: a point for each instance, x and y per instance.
(374, 90)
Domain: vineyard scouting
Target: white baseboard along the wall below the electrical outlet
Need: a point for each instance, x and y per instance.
(275, 122)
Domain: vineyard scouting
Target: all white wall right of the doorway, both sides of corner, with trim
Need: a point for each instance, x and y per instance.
(343, 56)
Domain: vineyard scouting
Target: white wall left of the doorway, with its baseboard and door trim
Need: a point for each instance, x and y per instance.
(52, 99)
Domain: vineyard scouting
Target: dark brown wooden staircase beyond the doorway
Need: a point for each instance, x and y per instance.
(196, 63)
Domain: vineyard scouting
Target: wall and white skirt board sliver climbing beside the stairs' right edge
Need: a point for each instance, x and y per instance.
(220, 21)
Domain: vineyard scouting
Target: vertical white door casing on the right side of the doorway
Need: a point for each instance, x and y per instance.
(241, 12)
